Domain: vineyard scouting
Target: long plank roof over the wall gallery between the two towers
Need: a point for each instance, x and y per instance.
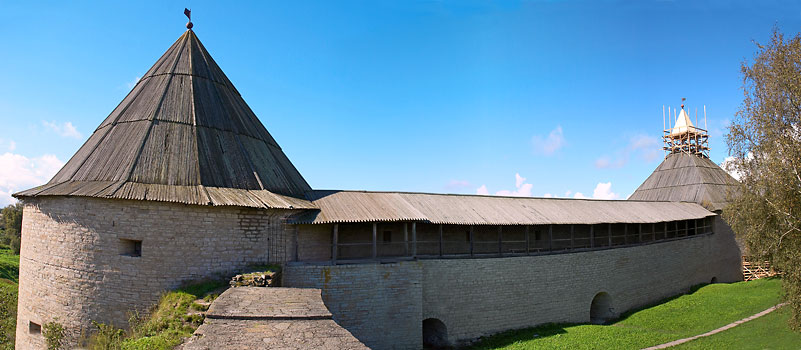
(371, 206)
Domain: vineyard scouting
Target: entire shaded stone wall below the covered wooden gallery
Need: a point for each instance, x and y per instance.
(477, 297)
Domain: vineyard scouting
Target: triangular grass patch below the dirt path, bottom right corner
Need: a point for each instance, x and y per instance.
(767, 332)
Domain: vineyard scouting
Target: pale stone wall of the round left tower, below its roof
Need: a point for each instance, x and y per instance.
(71, 267)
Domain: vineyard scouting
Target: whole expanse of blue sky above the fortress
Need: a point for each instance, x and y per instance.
(517, 97)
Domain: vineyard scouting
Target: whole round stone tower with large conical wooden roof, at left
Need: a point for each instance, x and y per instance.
(181, 182)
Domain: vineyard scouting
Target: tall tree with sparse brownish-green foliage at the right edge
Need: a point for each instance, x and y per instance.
(765, 140)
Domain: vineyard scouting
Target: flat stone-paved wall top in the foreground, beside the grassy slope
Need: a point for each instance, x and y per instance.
(270, 318)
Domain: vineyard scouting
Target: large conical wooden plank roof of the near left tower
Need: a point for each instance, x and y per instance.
(183, 134)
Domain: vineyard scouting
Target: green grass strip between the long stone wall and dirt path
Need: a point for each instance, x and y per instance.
(704, 309)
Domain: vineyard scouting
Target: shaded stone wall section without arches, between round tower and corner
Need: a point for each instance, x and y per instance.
(380, 304)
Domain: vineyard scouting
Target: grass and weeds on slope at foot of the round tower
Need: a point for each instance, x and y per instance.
(168, 323)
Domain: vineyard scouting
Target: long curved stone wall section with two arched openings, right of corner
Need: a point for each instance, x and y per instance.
(477, 297)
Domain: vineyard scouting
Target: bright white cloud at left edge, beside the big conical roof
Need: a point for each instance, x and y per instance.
(18, 173)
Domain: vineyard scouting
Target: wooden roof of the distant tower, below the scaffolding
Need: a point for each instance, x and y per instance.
(687, 178)
